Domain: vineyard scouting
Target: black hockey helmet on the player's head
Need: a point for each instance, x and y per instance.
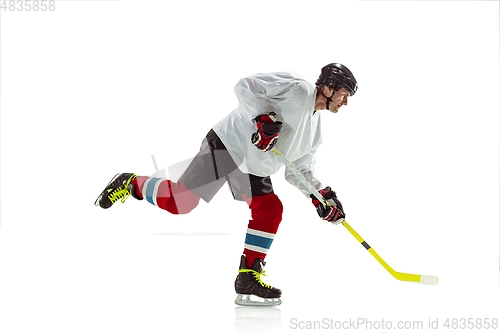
(336, 76)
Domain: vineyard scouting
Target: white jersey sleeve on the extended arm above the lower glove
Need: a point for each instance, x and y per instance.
(306, 166)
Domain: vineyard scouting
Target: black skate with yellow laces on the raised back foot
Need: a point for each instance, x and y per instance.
(120, 187)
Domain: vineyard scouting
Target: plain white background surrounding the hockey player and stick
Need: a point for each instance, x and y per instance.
(97, 87)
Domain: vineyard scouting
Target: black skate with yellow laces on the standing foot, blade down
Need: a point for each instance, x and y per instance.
(248, 283)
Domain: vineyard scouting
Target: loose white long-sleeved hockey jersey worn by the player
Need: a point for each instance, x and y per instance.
(293, 100)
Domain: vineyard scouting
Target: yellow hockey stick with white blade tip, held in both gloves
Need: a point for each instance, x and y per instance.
(424, 279)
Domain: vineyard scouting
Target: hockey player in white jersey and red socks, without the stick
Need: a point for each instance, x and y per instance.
(275, 109)
